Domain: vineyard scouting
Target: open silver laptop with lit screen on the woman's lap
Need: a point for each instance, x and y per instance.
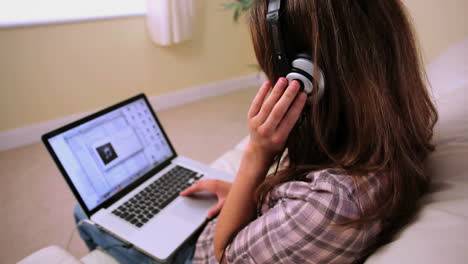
(126, 175)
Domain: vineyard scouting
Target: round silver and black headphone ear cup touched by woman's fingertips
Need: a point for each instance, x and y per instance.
(303, 70)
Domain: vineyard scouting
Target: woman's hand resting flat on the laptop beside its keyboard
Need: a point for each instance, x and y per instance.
(217, 187)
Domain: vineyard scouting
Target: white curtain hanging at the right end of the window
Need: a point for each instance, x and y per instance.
(170, 21)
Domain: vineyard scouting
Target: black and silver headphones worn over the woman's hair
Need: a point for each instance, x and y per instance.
(301, 68)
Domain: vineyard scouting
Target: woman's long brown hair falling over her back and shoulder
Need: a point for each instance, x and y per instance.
(376, 115)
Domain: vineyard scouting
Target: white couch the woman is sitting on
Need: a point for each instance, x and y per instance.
(439, 234)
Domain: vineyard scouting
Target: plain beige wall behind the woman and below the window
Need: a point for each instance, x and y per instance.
(47, 72)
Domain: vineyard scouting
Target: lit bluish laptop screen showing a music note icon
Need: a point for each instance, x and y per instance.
(108, 153)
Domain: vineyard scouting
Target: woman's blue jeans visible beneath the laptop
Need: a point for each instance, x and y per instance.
(94, 237)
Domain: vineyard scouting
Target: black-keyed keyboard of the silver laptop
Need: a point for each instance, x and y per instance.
(150, 201)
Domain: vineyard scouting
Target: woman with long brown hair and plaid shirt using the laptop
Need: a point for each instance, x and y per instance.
(354, 165)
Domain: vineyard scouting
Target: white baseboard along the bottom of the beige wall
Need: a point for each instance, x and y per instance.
(31, 134)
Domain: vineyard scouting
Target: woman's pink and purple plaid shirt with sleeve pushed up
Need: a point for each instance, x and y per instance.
(298, 228)
